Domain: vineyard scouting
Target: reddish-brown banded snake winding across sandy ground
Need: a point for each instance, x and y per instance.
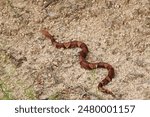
(85, 64)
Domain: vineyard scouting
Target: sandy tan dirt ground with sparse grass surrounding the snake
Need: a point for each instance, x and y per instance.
(116, 31)
